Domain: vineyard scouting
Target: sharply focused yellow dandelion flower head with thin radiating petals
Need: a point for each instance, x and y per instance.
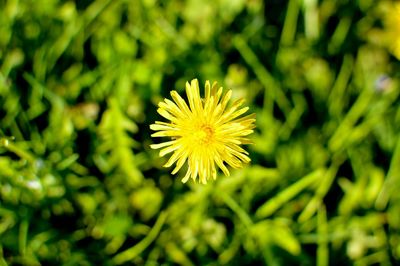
(205, 134)
